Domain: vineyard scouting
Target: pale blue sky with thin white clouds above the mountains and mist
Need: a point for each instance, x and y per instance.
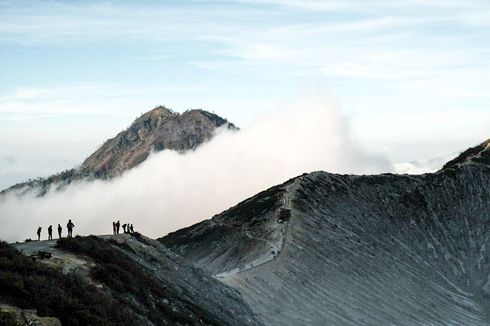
(411, 76)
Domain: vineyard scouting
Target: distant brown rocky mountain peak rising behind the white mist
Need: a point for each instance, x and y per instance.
(156, 130)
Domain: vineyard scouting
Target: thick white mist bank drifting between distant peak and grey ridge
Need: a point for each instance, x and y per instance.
(170, 190)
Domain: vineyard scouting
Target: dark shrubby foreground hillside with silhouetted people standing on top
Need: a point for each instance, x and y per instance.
(111, 280)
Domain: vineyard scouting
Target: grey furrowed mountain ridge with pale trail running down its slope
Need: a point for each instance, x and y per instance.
(329, 249)
